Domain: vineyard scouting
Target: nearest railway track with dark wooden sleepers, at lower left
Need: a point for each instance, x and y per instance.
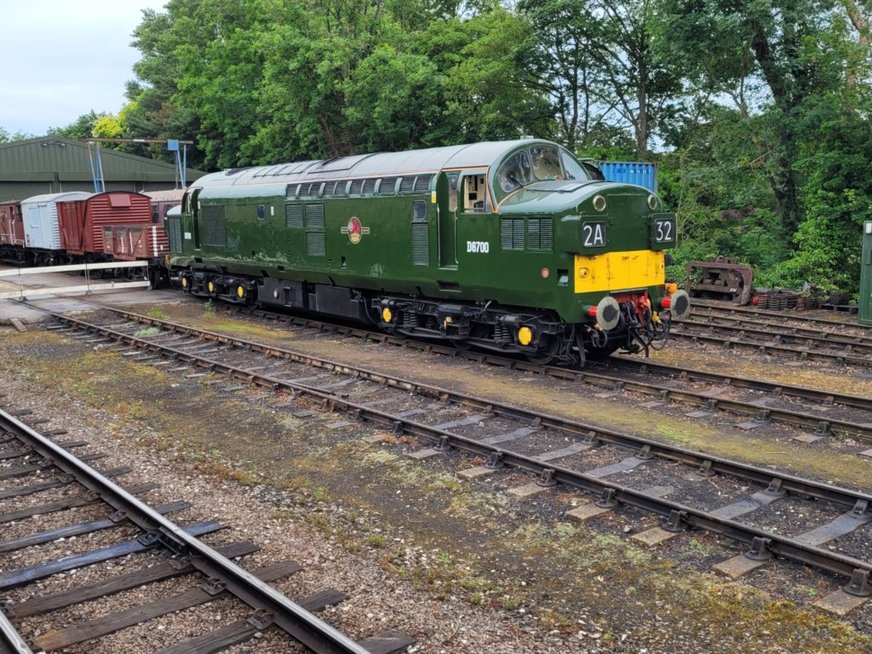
(32, 465)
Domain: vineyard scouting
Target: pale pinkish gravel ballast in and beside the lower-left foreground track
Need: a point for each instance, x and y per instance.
(375, 603)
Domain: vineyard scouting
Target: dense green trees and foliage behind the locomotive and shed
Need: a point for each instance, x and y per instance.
(756, 111)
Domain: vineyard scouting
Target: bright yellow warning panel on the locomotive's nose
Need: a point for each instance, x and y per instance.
(615, 271)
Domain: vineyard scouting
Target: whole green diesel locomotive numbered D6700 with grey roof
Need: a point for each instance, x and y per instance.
(514, 246)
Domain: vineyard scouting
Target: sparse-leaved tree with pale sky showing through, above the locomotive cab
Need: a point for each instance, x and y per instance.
(598, 62)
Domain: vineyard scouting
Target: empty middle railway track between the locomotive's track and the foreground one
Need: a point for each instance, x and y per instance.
(557, 451)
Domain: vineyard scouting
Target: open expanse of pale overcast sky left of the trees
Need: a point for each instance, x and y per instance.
(61, 59)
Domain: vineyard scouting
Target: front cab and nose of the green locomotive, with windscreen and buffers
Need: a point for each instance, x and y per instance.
(610, 235)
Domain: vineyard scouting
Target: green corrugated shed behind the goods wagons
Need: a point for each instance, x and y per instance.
(52, 165)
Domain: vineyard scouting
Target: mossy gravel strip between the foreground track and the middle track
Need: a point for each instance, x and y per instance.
(459, 565)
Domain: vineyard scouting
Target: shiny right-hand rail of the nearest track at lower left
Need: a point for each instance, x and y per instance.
(287, 615)
